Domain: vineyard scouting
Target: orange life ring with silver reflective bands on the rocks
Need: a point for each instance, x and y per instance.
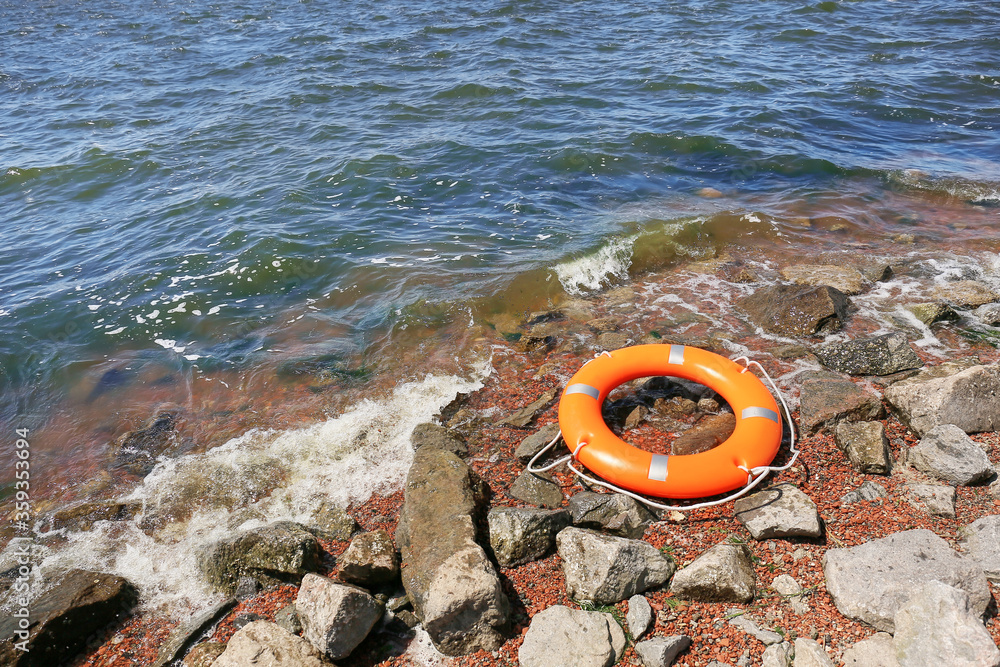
(724, 468)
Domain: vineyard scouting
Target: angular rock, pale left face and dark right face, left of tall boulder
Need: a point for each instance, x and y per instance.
(335, 617)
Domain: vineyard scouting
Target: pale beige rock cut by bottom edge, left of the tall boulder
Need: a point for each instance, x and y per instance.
(265, 644)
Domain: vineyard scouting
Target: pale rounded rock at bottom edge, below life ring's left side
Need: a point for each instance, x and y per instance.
(563, 636)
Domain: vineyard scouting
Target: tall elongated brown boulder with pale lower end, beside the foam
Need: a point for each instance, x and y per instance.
(455, 590)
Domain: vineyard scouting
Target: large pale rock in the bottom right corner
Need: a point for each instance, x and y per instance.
(937, 626)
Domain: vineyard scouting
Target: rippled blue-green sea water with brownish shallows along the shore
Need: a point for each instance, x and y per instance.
(203, 204)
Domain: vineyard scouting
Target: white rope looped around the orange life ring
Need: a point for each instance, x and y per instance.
(754, 475)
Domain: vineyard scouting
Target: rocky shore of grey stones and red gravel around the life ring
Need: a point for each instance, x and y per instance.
(880, 547)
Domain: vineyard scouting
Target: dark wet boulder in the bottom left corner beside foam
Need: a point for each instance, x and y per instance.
(62, 621)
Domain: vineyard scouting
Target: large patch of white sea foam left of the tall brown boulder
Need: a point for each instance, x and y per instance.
(263, 476)
